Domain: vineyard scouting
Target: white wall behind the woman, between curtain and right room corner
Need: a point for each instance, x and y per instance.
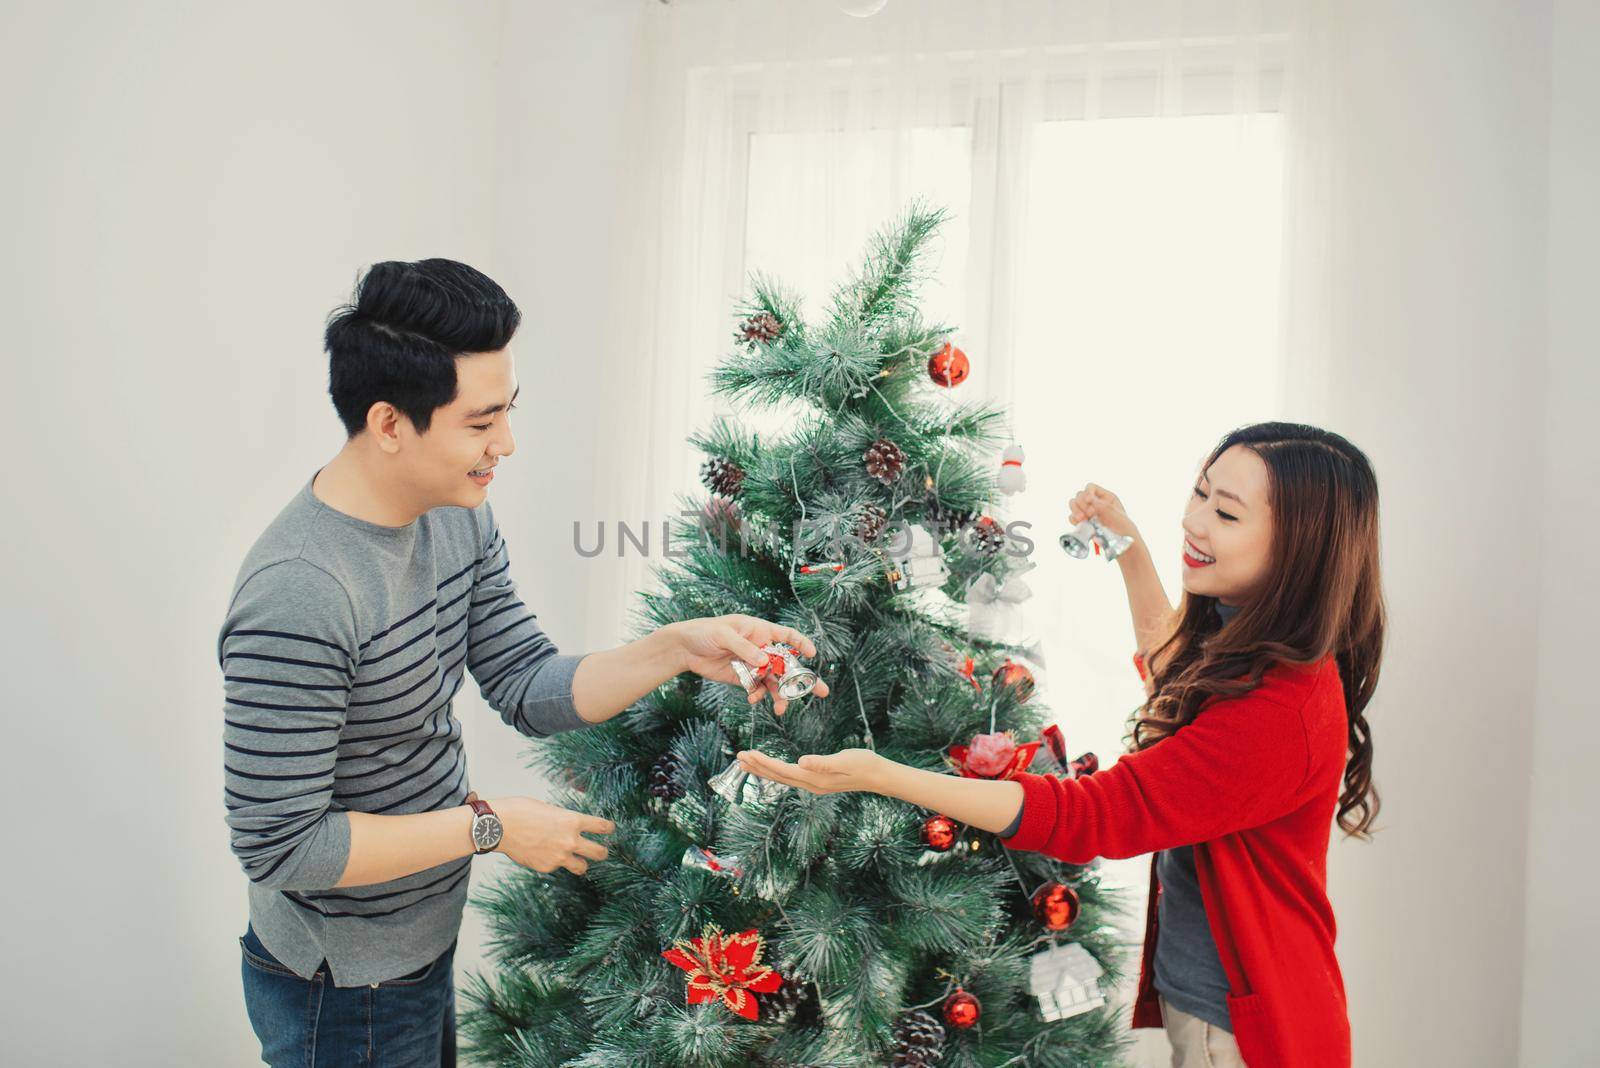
(1439, 330)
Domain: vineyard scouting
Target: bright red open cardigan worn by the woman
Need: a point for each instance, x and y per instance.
(1252, 784)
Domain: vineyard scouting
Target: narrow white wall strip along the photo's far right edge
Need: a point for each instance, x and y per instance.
(1562, 931)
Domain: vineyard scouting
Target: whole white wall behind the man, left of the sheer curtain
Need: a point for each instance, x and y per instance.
(188, 191)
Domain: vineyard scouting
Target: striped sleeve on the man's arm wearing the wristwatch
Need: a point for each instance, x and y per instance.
(289, 661)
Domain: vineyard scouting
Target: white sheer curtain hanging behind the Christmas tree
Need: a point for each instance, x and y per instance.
(775, 137)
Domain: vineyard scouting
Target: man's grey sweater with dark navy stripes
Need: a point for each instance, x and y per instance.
(343, 648)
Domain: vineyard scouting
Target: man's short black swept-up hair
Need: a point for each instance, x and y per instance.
(401, 335)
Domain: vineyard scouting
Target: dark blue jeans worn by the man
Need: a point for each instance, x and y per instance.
(406, 1022)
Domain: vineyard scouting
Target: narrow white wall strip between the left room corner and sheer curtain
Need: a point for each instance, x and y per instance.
(562, 84)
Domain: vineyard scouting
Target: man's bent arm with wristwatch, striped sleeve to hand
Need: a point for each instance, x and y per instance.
(287, 653)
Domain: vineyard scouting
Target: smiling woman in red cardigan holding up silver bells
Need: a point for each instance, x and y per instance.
(1252, 743)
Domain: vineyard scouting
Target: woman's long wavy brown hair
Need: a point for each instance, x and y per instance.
(1322, 597)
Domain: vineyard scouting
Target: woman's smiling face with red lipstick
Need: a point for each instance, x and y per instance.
(1228, 528)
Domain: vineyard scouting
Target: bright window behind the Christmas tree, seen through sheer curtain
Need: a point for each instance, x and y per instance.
(1122, 274)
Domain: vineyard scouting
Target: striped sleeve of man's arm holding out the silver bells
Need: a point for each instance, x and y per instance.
(519, 671)
